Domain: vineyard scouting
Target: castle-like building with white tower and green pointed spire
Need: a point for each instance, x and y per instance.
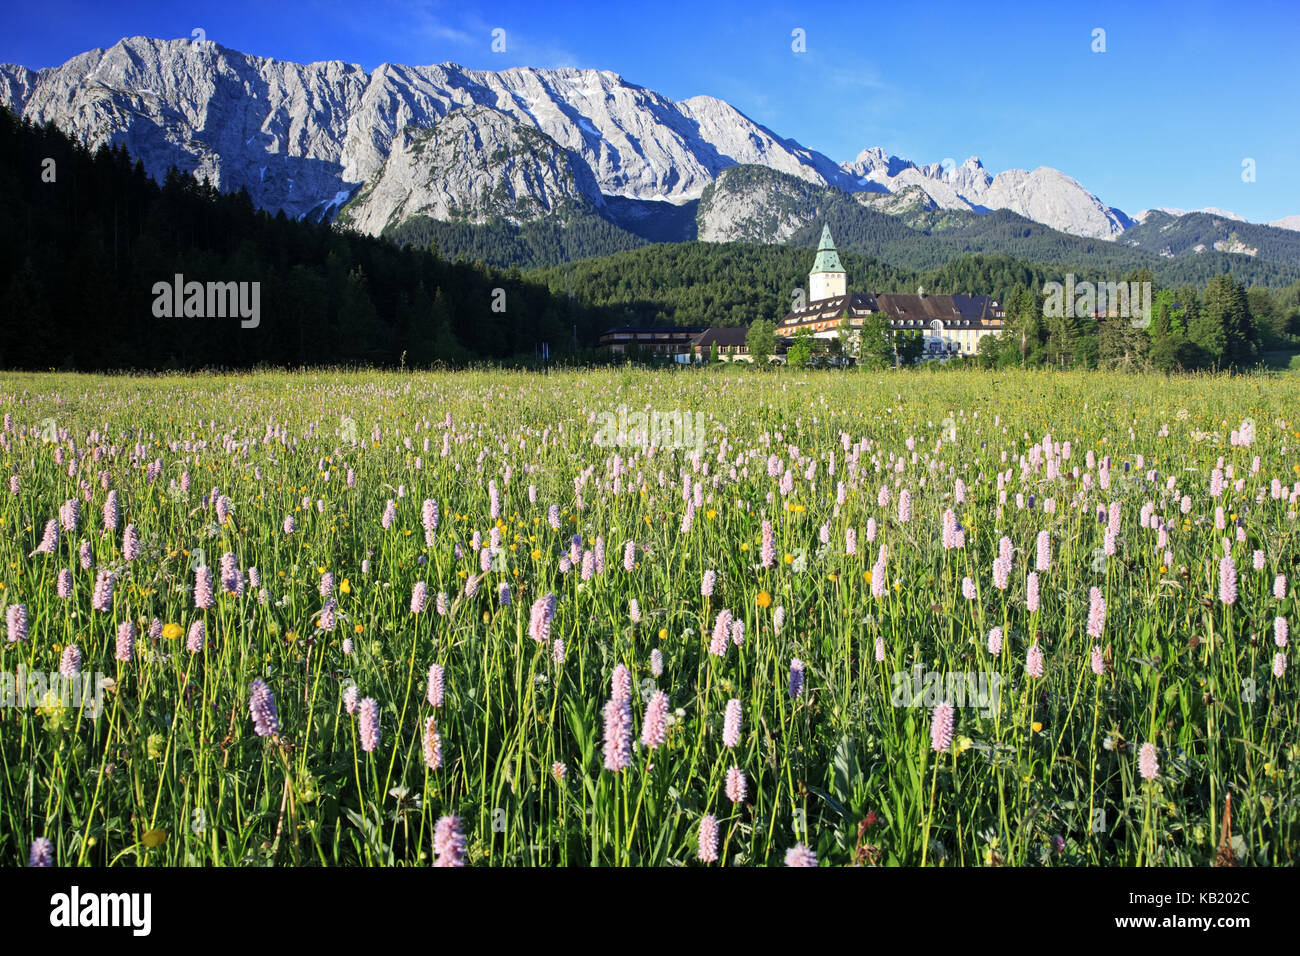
(951, 325)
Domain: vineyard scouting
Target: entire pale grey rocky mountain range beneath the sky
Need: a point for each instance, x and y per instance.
(378, 149)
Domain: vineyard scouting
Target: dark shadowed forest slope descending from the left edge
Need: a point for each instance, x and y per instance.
(85, 239)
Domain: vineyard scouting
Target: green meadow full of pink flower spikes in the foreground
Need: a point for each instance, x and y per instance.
(352, 618)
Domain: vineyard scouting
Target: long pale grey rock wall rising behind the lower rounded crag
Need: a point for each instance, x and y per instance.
(305, 137)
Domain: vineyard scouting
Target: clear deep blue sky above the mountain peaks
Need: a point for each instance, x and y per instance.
(1182, 96)
